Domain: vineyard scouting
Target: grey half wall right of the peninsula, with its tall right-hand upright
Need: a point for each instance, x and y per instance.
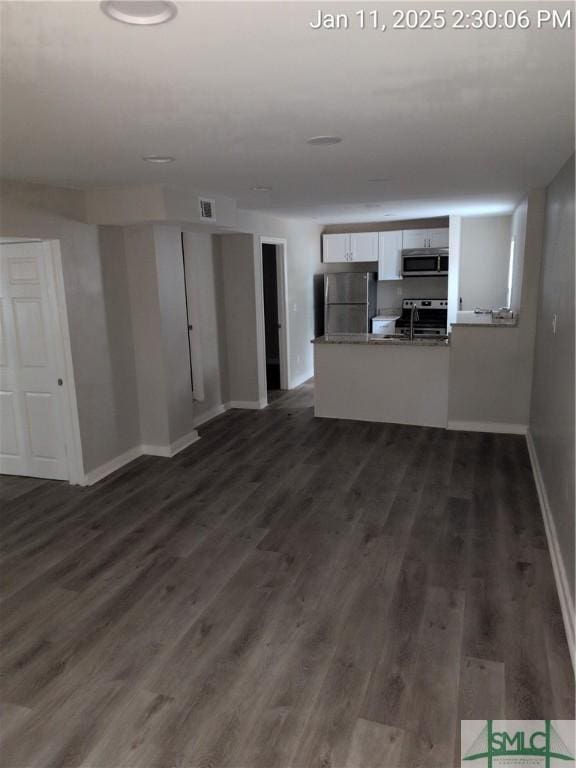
(491, 368)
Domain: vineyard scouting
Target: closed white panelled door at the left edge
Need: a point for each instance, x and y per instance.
(32, 432)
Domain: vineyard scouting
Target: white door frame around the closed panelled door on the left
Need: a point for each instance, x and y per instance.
(67, 393)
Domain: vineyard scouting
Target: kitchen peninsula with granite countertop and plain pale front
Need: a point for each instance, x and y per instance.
(369, 377)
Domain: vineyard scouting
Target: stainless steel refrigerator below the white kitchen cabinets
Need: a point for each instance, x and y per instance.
(349, 302)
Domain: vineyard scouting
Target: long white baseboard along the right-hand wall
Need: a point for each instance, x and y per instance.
(560, 575)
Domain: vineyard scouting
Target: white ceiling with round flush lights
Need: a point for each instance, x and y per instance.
(457, 121)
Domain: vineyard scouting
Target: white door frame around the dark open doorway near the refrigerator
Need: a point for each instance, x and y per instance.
(284, 331)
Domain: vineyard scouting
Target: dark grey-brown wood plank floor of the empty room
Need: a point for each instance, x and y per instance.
(288, 591)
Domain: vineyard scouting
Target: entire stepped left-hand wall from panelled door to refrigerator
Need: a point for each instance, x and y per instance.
(124, 291)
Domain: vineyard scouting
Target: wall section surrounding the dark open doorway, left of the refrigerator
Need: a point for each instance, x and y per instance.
(222, 270)
